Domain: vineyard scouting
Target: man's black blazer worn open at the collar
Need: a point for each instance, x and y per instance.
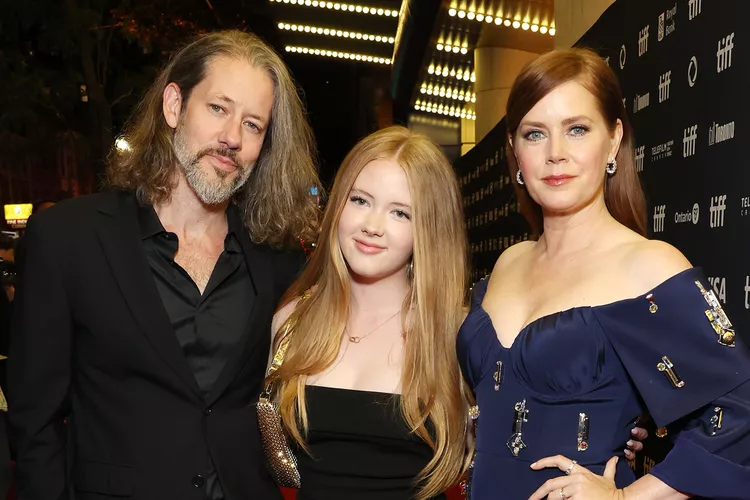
(92, 343)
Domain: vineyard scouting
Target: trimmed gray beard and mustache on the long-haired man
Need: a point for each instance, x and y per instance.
(209, 191)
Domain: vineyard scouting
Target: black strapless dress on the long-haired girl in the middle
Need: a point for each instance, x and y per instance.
(361, 447)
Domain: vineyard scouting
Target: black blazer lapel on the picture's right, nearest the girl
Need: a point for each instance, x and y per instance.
(256, 334)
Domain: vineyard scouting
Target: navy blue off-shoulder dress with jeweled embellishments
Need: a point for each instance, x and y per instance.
(574, 382)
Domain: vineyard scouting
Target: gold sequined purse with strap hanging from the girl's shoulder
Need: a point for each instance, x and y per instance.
(279, 457)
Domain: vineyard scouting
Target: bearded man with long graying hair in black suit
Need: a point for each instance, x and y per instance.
(143, 313)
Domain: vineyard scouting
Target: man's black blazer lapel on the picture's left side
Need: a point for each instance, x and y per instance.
(120, 238)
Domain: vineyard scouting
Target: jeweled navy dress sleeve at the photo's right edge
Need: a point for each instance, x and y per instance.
(680, 351)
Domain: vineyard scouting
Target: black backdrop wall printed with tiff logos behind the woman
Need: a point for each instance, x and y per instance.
(683, 67)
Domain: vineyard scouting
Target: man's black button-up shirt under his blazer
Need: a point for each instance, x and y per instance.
(208, 326)
